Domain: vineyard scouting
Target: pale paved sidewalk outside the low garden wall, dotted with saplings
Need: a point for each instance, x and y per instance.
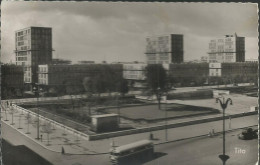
(76, 143)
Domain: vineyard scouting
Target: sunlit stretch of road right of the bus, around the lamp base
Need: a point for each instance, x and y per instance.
(205, 151)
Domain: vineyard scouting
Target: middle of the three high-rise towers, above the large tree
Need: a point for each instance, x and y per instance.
(164, 49)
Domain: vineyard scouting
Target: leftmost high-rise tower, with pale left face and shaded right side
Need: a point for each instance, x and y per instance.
(33, 46)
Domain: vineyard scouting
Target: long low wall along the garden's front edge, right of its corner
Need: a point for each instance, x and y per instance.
(160, 127)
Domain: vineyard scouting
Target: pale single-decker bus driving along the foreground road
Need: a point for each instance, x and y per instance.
(132, 153)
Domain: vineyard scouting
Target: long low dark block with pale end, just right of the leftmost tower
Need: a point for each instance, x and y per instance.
(71, 75)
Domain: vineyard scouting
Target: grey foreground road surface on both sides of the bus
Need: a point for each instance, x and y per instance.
(197, 151)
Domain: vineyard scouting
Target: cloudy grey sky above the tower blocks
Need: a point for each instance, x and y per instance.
(116, 31)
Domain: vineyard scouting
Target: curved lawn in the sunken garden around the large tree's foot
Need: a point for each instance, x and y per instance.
(152, 113)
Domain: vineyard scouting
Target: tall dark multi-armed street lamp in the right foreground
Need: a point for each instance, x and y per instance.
(224, 102)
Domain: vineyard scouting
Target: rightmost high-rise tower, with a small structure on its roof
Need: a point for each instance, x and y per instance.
(229, 48)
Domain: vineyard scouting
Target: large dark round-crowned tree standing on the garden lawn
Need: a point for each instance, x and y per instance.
(156, 80)
